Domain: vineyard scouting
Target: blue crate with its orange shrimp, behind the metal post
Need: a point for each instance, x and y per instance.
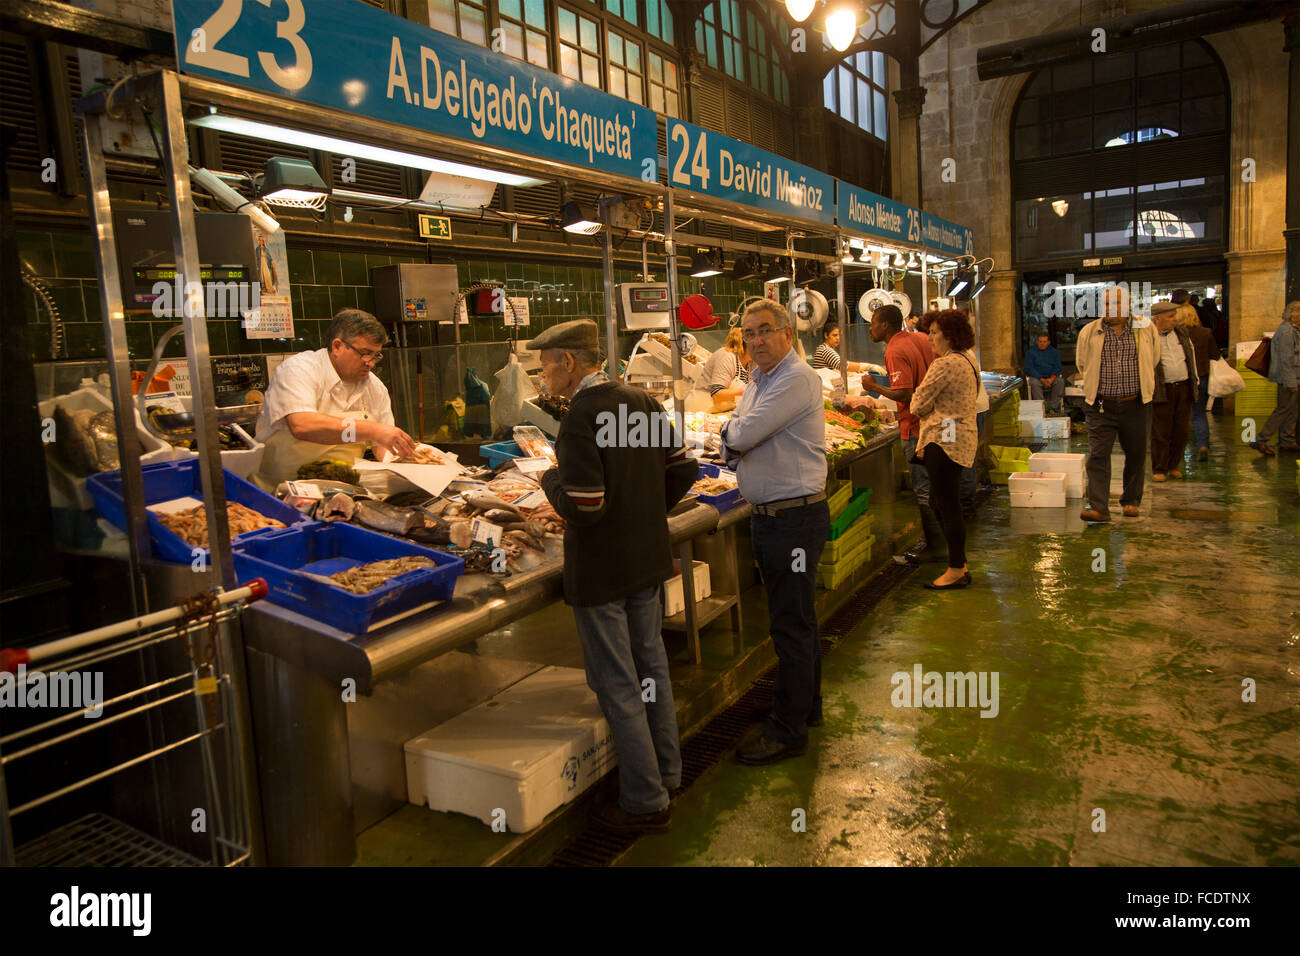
(174, 501)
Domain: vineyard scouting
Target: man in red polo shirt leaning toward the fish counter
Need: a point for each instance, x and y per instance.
(908, 357)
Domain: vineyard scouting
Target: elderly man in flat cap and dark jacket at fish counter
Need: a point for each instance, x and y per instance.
(621, 471)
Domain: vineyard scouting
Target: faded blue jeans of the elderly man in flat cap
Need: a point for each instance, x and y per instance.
(622, 646)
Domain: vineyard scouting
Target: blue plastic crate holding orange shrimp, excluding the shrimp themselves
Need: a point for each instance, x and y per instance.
(168, 481)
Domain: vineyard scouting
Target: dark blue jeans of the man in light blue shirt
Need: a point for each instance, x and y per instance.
(791, 583)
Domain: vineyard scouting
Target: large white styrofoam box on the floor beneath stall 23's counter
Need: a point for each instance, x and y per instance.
(534, 747)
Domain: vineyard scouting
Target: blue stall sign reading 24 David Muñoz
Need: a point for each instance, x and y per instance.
(705, 162)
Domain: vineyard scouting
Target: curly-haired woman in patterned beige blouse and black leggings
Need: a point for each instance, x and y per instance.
(948, 440)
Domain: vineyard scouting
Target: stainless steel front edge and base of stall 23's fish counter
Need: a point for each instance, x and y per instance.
(309, 687)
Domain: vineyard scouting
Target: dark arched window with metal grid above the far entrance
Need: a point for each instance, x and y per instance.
(1123, 153)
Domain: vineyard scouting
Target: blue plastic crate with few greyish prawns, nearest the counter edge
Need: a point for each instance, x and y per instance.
(283, 556)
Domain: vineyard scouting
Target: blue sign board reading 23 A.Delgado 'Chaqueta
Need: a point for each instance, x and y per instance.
(349, 57)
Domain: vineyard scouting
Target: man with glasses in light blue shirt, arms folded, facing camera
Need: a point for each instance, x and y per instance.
(777, 443)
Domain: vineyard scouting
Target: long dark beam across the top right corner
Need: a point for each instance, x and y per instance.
(1126, 34)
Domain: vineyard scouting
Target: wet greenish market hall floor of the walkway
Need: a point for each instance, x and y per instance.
(1121, 736)
